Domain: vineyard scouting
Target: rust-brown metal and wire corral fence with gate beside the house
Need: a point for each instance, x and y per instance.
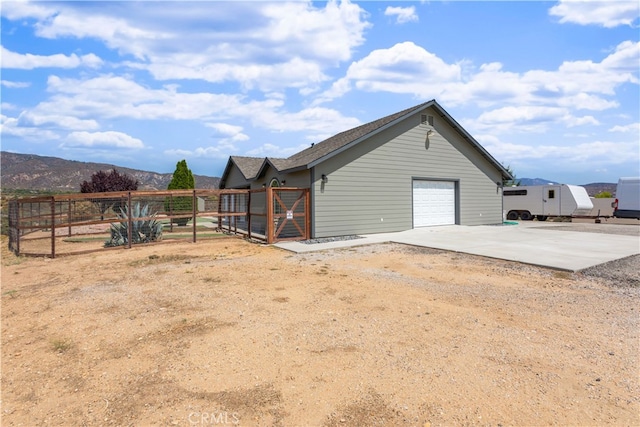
(67, 224)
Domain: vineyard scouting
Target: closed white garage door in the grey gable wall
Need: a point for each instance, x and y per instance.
(434, 203)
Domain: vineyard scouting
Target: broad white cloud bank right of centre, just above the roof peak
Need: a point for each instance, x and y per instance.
(529, 101)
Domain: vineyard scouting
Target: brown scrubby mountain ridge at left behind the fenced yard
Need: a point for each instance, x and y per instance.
(31, 172)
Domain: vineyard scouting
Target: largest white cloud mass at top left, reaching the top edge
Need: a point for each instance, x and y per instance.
(258, 44)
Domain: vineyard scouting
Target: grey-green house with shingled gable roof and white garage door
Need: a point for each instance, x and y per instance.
(414, 168)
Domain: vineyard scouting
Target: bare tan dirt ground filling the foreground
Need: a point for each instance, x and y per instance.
(230, 332)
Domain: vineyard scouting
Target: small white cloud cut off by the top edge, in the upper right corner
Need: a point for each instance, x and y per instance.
(607, 14)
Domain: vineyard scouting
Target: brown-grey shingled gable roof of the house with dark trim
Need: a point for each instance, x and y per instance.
(251, 167)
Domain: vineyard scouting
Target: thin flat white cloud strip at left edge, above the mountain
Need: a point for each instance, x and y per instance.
(29, 61)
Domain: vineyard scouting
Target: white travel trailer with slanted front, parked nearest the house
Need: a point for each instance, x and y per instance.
(544, 201)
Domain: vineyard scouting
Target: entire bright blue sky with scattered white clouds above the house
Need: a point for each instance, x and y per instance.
(550, 89)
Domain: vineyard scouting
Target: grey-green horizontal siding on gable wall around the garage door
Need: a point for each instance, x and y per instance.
(369, 188)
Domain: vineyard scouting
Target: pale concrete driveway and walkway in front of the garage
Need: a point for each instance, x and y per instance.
(545, 244)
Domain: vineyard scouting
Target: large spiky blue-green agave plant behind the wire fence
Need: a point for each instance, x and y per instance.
(142, 230)
